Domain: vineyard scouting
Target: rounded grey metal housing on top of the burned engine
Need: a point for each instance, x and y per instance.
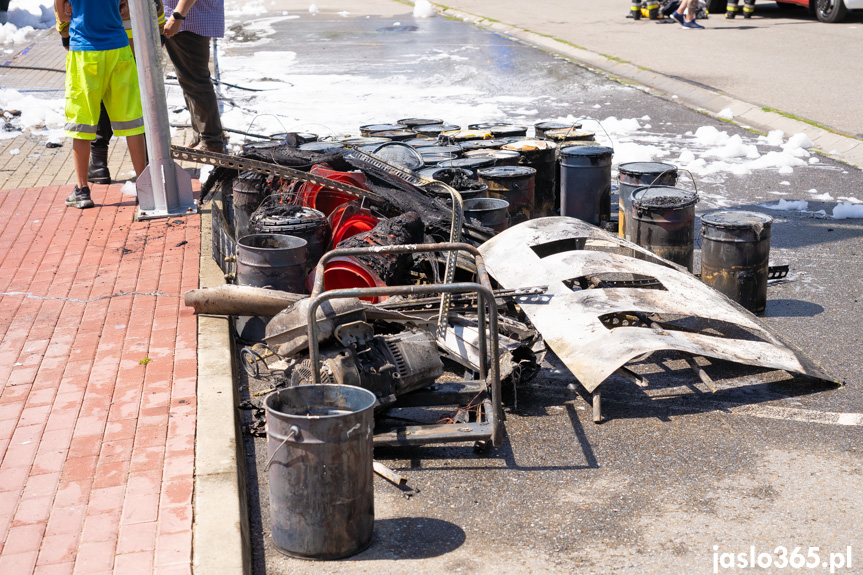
(286, 333)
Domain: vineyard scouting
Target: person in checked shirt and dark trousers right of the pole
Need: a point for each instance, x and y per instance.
(188, 30)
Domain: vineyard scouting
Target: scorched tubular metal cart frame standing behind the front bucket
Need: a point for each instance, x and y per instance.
(453, 393)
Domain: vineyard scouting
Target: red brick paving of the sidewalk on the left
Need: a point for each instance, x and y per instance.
(96, 447)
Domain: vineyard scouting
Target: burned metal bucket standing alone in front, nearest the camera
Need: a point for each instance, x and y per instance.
(319, 449)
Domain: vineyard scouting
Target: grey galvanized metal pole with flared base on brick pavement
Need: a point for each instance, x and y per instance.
(164, 189)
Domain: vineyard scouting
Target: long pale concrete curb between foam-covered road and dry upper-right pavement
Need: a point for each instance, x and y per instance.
(746, 115)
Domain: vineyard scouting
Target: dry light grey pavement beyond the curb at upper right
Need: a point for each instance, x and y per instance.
(782, 59)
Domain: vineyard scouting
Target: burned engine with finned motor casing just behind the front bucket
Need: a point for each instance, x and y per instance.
(386, 365)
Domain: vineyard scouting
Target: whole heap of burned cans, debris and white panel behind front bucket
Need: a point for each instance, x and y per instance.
(419, 250)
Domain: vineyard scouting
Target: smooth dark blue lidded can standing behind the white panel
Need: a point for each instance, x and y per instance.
(585, 183)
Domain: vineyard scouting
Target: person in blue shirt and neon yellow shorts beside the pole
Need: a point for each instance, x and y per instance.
(100, 69)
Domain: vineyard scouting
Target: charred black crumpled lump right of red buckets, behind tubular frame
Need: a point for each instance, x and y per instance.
(404, 229)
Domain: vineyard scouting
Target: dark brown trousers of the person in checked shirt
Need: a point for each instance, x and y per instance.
(190, 54)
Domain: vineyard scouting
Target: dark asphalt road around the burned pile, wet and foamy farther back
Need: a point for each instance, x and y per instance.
(677, 476)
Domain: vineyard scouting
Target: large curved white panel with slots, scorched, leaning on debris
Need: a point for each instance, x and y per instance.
(581, 325)
